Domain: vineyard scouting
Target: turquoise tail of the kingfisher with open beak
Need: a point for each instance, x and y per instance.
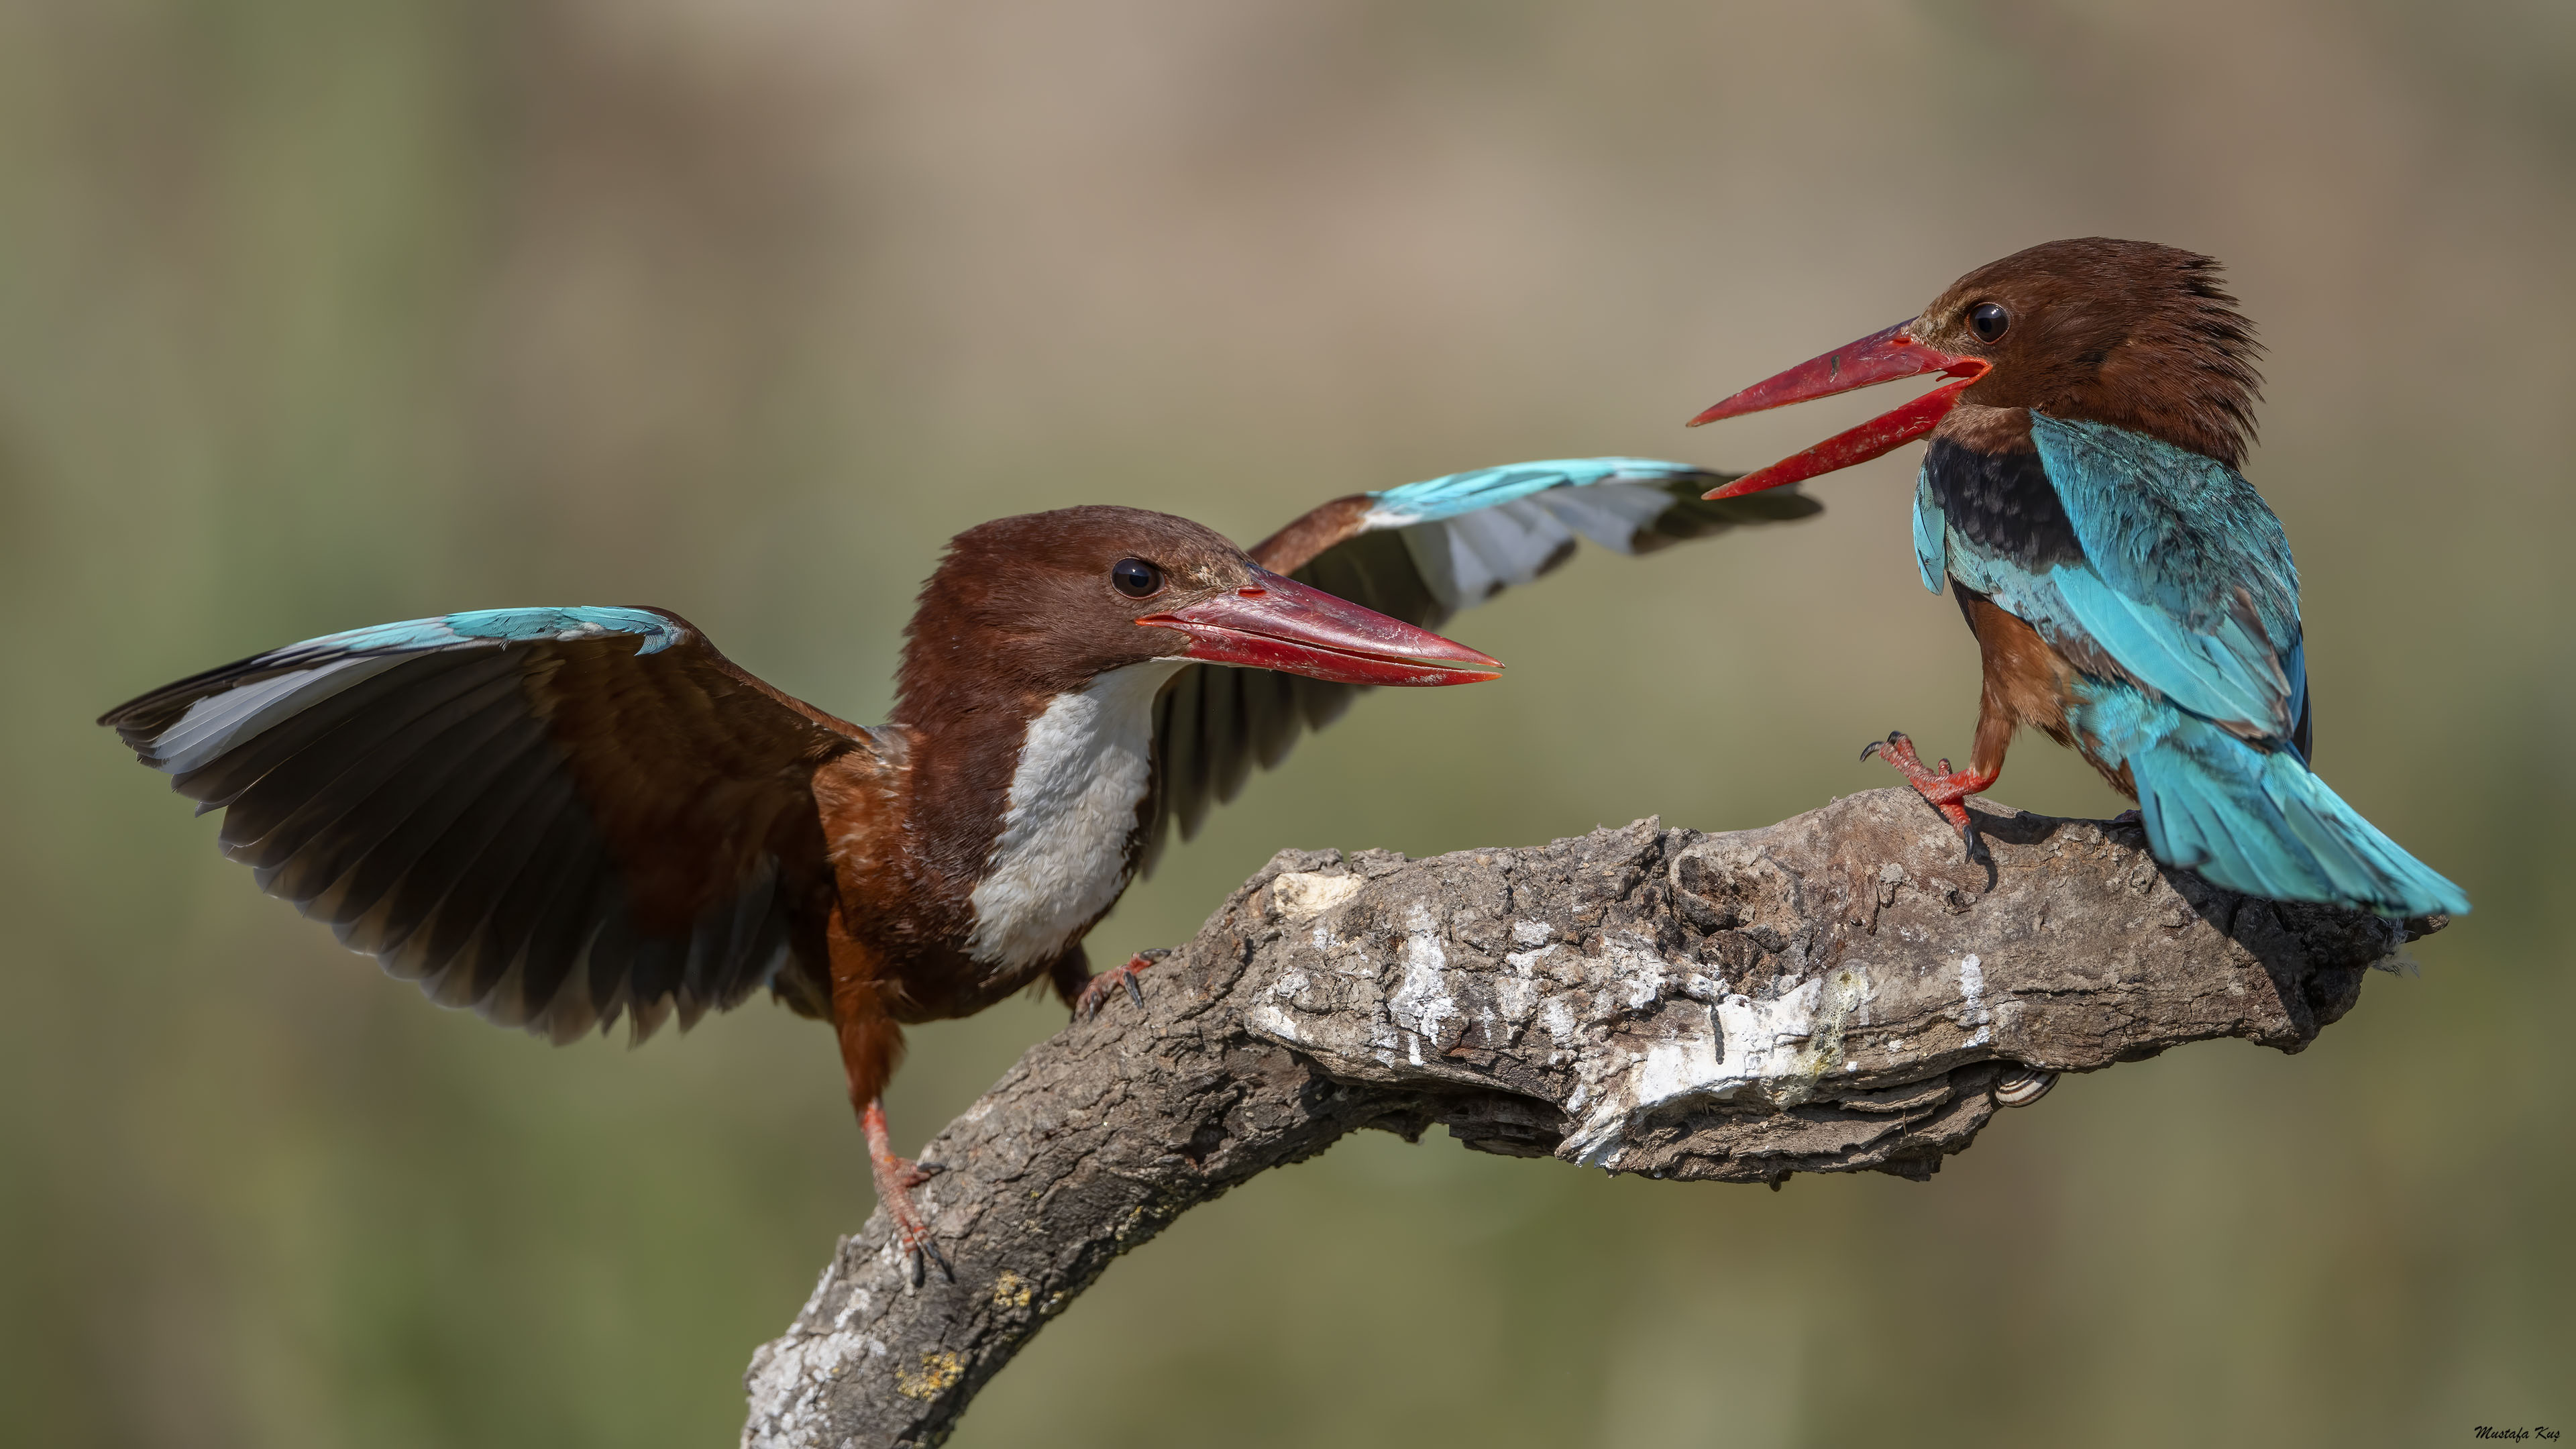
(2263, 824)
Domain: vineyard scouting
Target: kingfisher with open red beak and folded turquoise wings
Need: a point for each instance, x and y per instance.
(2126, 587)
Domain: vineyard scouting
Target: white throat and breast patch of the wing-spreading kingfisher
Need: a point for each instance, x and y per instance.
(1073, 806)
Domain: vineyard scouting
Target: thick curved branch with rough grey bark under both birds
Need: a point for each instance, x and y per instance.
(1833, 994)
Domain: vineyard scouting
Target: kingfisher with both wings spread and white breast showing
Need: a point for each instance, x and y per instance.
(560, 816)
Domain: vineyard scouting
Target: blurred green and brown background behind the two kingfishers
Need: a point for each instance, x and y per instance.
(321, 313)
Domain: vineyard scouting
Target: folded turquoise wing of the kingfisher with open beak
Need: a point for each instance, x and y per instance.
(2186, 584)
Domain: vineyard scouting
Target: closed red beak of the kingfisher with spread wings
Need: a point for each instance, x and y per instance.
(1284, 625)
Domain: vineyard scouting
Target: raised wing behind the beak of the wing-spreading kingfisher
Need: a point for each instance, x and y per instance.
(1423, 553)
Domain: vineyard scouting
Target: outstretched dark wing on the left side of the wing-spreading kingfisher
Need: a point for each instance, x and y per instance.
(550, 816)
